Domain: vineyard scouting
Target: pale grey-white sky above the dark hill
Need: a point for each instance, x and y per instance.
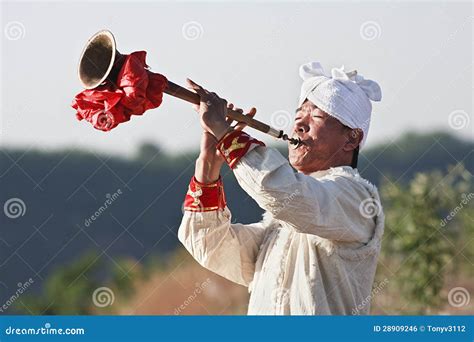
(247, 52)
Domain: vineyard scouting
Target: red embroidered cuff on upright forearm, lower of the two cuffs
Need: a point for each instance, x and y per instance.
(205, 197)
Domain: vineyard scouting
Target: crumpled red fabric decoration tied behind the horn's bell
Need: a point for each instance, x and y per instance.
(137, 89)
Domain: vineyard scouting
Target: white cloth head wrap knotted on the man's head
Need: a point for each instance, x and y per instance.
(345, 96)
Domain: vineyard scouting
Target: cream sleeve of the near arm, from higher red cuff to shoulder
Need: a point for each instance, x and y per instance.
(328, 208)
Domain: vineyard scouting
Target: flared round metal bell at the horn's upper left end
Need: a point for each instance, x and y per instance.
(99, 60)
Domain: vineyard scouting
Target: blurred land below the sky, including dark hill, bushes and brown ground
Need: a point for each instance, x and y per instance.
(127, 260)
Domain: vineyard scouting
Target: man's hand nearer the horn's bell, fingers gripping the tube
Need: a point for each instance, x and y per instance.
(212, 111)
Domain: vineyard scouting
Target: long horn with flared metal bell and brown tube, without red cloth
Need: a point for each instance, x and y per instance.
(101, 61)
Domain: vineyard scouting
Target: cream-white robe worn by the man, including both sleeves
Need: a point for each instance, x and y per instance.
(314, 253)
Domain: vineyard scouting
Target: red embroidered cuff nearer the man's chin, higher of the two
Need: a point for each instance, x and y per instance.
(234, 145)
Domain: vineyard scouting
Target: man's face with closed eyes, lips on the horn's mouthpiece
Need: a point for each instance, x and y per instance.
(324, 139)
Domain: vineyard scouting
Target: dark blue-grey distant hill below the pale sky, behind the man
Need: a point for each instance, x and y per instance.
(141, 200)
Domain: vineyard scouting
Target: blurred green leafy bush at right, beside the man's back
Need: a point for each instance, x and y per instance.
(418, 235)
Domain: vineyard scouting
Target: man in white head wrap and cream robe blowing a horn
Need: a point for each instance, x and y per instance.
(316, 250)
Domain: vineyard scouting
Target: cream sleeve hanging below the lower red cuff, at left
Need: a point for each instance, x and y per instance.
(229, 250)
